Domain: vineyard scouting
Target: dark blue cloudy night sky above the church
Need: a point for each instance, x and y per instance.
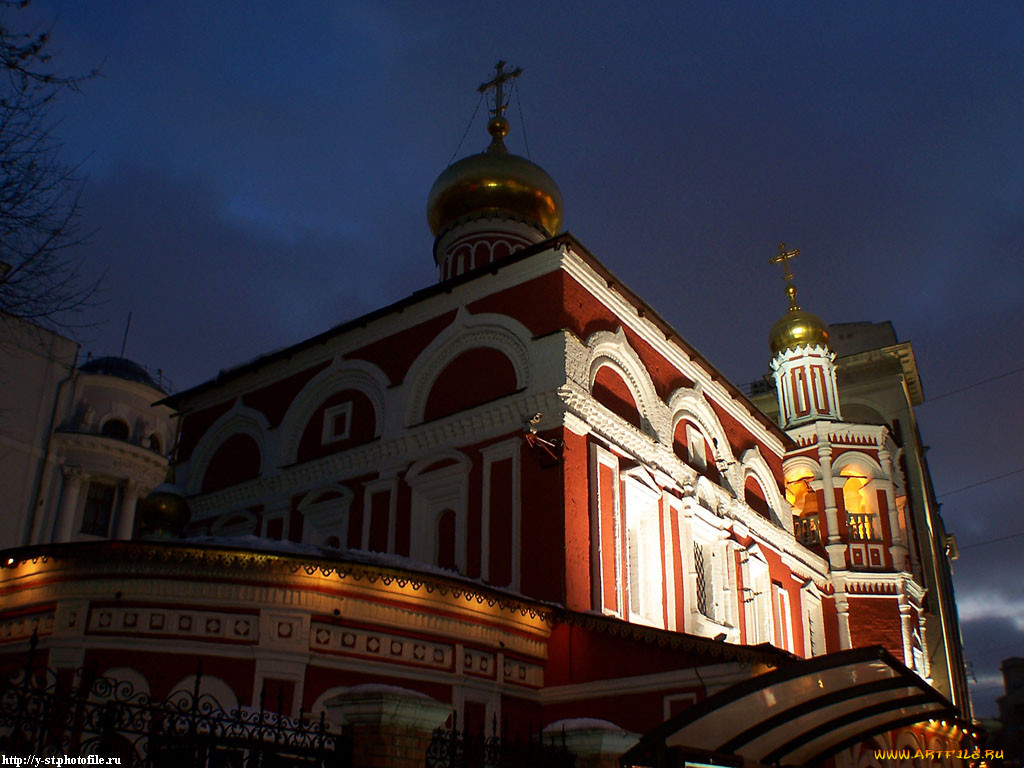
(259, 173)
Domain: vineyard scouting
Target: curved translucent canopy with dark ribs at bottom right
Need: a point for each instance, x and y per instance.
(795, 716)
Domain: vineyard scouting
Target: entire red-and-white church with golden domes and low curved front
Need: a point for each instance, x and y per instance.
(522, 494)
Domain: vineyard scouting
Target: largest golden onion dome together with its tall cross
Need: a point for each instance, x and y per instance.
(495, 186)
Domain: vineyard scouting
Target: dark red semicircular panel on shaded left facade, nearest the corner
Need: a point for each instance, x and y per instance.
(475, 377)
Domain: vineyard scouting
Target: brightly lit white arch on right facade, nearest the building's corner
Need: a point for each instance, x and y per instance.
(613, 351)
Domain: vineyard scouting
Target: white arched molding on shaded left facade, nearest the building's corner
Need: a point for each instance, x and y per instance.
(466, 332)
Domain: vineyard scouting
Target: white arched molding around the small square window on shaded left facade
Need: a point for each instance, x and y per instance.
(359, 375)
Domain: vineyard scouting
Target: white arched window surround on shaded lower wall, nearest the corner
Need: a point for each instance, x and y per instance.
(436, 491)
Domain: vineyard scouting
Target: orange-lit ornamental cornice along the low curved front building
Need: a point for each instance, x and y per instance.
(231, 580)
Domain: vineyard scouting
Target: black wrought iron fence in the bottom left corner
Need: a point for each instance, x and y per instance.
(49, 715)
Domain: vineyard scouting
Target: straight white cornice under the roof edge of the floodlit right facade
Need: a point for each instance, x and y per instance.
(577, 268)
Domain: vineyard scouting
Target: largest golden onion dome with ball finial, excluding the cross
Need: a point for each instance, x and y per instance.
(495, 184)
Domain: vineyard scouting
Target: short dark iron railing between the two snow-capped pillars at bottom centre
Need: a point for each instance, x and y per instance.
(455, 749)
